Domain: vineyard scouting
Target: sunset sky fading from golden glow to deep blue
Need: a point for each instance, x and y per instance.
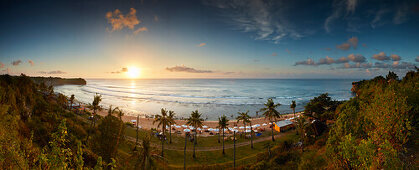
(209, 38)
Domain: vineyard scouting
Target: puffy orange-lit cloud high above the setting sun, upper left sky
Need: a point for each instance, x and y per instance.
(120, 21)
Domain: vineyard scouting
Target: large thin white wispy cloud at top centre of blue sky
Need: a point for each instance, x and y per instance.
(263, 18)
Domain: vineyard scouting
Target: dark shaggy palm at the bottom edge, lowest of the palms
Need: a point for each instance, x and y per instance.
(147, 156)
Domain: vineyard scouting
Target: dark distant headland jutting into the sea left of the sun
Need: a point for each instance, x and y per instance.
(56, 81)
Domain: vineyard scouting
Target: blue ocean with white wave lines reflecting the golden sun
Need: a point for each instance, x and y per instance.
(211, 97)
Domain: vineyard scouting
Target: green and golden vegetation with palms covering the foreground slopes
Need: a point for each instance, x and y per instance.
(376, 129)
